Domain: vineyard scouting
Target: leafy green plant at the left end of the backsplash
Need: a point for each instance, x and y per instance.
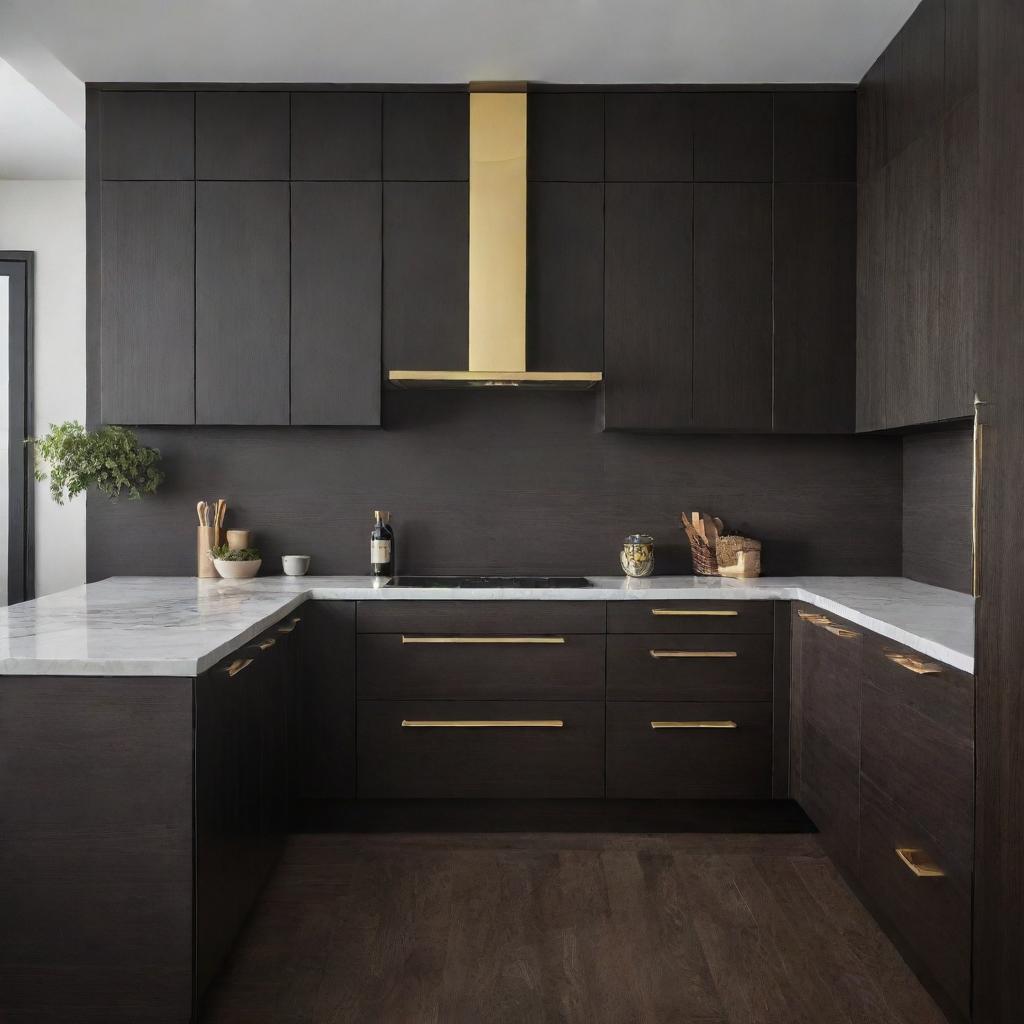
(111, 459)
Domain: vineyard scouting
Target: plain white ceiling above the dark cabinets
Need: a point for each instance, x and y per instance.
(614, 41)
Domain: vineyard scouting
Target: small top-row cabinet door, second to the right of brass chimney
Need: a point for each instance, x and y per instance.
(649, 137)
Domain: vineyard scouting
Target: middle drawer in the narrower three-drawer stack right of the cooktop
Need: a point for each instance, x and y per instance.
(652, 667)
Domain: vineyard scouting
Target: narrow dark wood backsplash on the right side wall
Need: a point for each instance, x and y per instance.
(937, 498)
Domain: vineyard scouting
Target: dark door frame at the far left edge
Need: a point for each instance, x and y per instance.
(19, 269)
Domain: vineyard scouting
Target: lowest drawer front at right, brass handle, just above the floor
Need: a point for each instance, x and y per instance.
(931, 915)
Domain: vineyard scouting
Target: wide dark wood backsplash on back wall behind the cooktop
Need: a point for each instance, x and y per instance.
(507, 483)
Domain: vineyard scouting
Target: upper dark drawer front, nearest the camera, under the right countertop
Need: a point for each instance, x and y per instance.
(918, 746)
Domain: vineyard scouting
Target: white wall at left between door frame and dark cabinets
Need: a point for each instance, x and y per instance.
(49, 219)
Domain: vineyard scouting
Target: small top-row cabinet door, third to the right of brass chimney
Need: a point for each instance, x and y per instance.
(733, 137)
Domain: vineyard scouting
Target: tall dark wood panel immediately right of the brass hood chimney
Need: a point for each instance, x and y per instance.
(566, 276)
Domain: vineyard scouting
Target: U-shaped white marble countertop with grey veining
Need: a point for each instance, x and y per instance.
(175, 626)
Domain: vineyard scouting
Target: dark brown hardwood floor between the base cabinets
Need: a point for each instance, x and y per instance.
(702, 929)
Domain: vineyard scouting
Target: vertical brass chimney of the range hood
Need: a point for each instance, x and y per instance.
(498, 232)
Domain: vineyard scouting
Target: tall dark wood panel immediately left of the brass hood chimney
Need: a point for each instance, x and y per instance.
(426, 275)
